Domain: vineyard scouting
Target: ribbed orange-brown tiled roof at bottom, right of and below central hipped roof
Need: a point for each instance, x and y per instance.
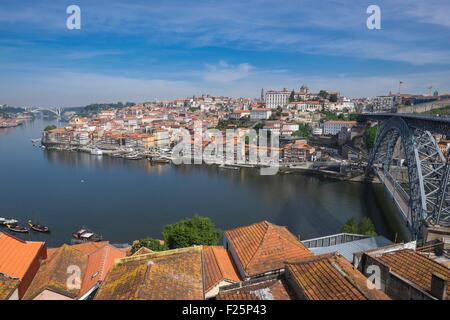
(329, 277)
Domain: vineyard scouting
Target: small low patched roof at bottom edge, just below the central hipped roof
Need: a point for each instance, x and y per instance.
(267, 289)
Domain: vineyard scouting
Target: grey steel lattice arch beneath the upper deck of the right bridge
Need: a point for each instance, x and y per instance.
(428, 195)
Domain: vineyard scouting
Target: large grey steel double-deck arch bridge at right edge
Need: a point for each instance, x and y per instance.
(409, 163)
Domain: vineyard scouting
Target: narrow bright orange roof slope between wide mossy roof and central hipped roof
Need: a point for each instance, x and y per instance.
(218, 266)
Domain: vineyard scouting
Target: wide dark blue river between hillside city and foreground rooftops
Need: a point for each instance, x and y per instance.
(126, 200)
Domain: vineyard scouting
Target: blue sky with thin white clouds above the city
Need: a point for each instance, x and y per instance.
(144, 50)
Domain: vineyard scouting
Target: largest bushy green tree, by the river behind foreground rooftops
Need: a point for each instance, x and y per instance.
(188, 232)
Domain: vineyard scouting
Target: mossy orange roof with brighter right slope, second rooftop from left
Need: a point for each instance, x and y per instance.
(93, 259)
